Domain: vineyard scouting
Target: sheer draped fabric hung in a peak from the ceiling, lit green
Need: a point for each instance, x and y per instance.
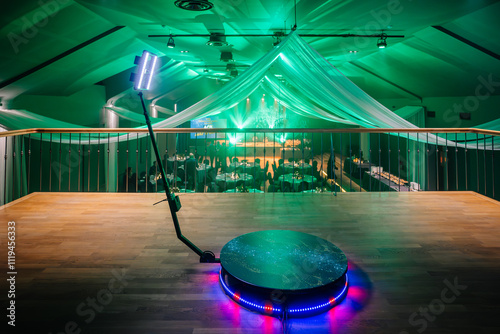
(294, 74)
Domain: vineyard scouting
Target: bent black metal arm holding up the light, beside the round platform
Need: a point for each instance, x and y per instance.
(173, 200)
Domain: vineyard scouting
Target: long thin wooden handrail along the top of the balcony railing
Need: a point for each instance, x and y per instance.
(260, 130)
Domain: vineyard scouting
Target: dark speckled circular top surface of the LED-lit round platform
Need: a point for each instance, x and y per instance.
(283, 260)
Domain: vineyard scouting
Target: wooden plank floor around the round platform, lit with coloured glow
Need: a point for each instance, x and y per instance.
(110, 263)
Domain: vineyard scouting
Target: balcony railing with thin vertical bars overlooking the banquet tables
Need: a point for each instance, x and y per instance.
(249, 160)
